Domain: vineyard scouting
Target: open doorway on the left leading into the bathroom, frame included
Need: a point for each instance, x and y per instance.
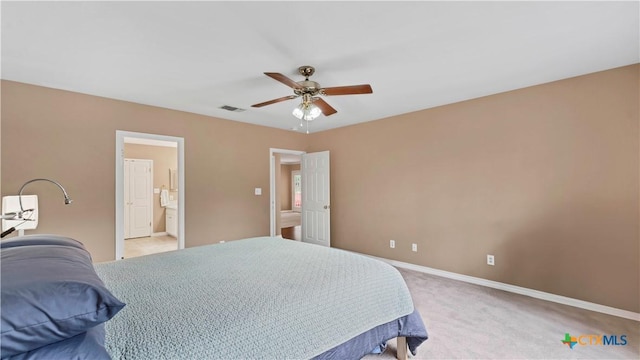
(165, 219)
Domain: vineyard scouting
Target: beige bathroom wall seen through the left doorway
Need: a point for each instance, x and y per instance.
(164, 158)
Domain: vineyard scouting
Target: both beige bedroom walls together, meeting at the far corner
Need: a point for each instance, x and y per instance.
(545, 178)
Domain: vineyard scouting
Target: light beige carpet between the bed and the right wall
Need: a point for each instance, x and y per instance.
(467, 321)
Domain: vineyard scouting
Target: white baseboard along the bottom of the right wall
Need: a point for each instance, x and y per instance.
(517, 289)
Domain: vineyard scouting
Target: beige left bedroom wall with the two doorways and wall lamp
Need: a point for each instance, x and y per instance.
(71, 138)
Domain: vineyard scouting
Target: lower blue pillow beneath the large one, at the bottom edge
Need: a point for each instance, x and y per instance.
(88, 345)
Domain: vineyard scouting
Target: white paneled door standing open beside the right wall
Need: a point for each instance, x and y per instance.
(316, 209)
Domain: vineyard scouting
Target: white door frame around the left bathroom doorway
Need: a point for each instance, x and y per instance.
(119, 181)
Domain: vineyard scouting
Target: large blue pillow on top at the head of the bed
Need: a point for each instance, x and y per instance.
(49, 293)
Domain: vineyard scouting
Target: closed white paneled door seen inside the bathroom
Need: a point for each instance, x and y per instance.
(138, 201)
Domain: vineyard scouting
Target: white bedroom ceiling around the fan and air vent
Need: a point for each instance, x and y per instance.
(198, 56)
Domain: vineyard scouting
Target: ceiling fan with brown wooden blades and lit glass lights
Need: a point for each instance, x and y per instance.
(312, 105)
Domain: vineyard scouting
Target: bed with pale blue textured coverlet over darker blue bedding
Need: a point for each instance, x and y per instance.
(257, 298)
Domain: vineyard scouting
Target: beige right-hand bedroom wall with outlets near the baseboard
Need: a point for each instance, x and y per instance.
(545, 178)
